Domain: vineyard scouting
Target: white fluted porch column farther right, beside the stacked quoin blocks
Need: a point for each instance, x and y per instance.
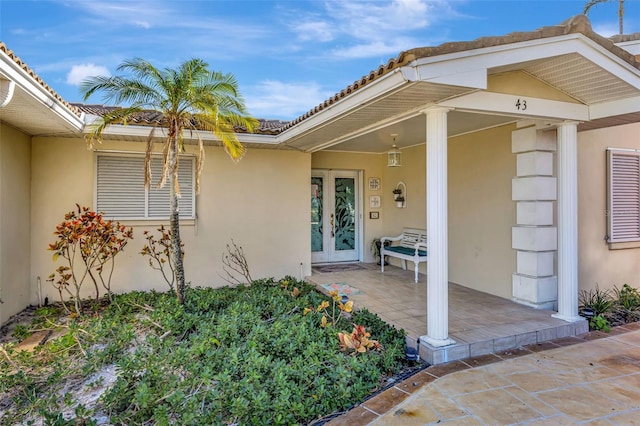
(568, 222)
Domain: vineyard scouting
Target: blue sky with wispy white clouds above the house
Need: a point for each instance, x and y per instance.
(287, 56)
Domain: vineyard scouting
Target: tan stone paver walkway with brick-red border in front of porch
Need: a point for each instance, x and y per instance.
(592, 379)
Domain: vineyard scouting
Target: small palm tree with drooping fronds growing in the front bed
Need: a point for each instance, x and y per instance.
(190, 98)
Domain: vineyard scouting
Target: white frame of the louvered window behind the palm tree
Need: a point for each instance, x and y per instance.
(188, 194)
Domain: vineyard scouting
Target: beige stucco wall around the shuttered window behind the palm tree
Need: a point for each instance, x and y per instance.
(261, 203)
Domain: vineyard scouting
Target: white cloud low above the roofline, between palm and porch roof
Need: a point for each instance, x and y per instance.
(276, 99)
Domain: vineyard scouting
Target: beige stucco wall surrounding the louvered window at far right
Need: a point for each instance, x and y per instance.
(597, 263)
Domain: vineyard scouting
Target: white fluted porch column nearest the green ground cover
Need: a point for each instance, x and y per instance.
(437, 230)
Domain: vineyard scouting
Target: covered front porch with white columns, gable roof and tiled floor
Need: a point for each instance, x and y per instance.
(488, 132)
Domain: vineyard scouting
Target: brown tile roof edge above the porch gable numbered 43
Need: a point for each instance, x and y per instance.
(577, 24)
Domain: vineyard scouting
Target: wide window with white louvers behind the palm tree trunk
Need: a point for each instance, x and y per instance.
(120, 191)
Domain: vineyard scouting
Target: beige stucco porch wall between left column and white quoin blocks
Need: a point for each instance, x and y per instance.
(481, 212)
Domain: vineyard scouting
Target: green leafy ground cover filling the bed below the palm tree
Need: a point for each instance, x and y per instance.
(254, 354)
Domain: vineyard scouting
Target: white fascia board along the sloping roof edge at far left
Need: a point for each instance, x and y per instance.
(11, 70)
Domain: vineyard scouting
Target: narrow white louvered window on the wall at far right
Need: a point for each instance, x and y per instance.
(624, 196)
